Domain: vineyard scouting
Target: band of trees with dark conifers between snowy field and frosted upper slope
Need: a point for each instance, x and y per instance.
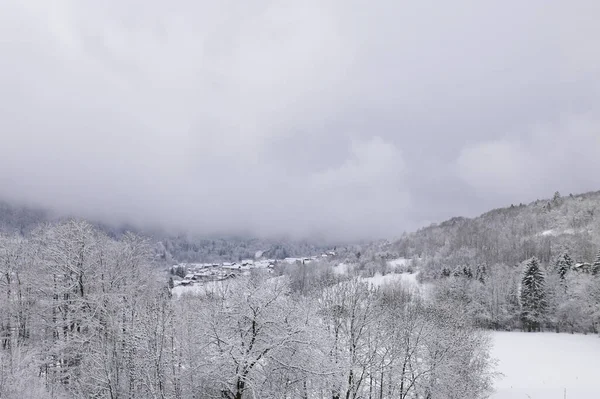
(560, 296)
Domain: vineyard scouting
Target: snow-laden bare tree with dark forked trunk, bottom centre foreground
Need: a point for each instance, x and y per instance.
(255, 332)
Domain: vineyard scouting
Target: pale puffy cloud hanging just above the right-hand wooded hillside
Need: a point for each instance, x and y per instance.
(561, 156)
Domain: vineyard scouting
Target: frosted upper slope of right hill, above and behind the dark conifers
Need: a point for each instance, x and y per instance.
(544, 229)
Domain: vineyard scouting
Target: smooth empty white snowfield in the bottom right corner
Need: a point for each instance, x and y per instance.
(542, 365)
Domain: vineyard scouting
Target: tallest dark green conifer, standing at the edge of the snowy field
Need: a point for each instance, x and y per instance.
(533, 296)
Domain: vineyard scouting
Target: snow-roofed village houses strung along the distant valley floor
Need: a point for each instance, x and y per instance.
(186, 274)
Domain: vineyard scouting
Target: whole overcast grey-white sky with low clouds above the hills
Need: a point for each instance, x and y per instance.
(353, 119)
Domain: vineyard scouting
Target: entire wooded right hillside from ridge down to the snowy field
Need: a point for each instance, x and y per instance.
(532, 267)
